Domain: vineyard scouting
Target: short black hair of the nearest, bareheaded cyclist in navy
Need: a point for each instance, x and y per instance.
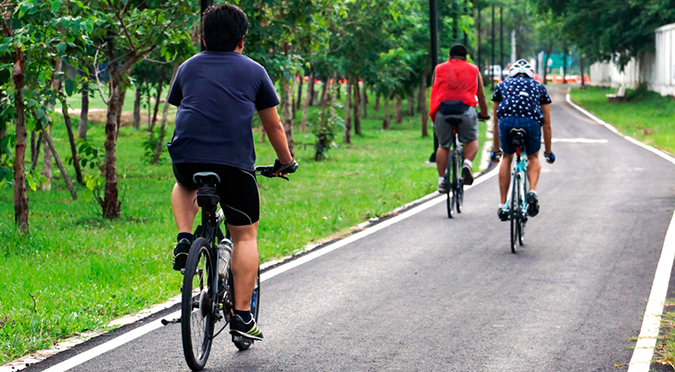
(223, 27)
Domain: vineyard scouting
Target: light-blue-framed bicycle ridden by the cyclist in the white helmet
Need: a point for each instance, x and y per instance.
(516, 203)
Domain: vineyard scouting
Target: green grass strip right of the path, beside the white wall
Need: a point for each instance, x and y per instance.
(646, 116)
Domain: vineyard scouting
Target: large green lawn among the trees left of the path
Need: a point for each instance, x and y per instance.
(83, 270)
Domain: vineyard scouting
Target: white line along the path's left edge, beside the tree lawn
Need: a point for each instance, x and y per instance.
(141, 331)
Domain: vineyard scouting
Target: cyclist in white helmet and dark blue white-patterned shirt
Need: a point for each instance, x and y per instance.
(521, 102)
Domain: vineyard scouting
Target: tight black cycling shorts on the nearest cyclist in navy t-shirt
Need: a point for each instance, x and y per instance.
(238, 190)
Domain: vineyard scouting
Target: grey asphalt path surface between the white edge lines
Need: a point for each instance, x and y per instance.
(432, 294)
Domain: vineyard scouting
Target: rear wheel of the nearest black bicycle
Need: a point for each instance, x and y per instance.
(197, 317)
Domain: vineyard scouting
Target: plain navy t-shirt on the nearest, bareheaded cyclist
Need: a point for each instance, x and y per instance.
(217, 94)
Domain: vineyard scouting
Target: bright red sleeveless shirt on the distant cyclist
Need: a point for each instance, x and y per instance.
(455, 80)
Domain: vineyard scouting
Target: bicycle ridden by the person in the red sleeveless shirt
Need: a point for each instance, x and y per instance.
(454, 183)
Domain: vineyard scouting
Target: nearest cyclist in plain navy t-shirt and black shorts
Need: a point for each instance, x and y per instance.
(217, 93)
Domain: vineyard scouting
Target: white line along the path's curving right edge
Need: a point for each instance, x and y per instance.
(644, 348)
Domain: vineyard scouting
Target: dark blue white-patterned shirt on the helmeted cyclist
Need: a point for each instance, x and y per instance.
(521, 97)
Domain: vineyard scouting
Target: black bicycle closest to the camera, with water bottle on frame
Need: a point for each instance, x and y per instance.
(208, 288)
